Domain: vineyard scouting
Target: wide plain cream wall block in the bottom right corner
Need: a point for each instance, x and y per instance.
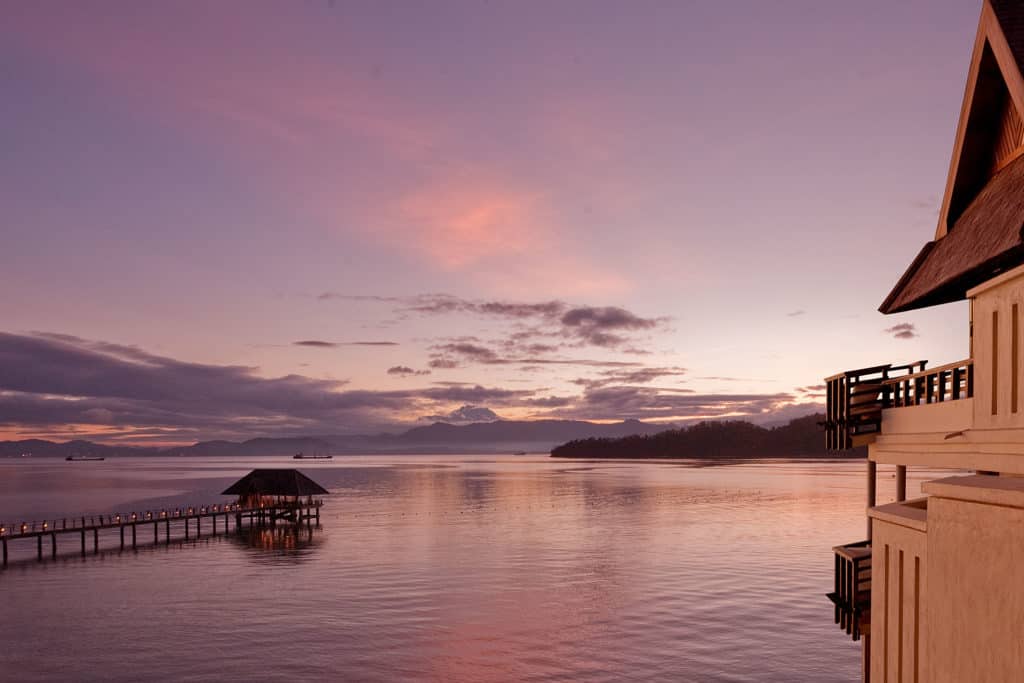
(975, 606)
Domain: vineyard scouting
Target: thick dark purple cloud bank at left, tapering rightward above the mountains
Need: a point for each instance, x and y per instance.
(59, 381)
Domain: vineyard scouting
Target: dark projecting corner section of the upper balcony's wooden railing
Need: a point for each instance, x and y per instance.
(855, 401)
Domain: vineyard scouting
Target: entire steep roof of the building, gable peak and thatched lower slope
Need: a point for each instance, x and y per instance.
(980, 225)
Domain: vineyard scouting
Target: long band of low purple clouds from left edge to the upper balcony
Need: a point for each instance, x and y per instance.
(60, 385)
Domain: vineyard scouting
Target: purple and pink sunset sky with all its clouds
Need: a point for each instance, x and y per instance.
(236, 220)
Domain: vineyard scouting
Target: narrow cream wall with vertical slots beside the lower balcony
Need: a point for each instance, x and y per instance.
(899, 589)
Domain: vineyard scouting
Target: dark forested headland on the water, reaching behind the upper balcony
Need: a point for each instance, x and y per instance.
(799, 439)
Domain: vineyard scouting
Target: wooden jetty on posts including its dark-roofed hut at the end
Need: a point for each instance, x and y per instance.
(266, 499)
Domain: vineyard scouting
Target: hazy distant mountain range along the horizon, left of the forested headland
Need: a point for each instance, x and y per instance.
(441, 438)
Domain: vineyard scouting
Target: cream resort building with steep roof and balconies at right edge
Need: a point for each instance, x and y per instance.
(936, 590)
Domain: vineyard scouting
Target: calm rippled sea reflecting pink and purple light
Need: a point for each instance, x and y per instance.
(444, 569)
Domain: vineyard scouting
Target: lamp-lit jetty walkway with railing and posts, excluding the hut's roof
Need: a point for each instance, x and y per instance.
(265, 514)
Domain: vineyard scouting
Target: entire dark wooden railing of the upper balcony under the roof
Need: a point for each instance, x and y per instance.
(855, 400)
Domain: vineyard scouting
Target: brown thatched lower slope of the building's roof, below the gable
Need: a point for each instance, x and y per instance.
(986, 241)
